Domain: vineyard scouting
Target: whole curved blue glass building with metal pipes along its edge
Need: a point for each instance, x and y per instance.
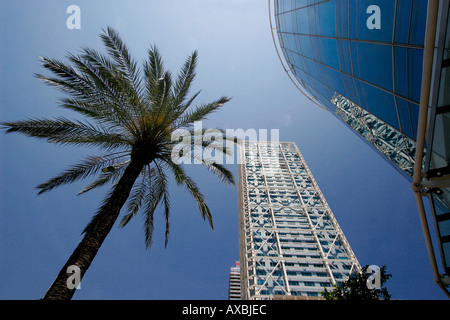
(376, 64)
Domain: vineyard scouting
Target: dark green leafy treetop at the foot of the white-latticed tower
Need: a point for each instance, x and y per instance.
(356, 289)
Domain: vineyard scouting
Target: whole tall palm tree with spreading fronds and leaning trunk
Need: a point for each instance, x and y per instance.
(131, 115)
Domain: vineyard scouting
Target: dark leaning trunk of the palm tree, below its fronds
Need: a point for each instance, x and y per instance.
(84, 254)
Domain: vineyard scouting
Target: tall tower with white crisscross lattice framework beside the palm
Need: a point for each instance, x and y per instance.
(290, 241)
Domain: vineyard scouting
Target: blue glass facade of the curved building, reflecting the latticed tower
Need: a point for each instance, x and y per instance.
(367, 54)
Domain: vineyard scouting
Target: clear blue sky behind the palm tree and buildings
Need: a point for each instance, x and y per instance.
(373, 203)
